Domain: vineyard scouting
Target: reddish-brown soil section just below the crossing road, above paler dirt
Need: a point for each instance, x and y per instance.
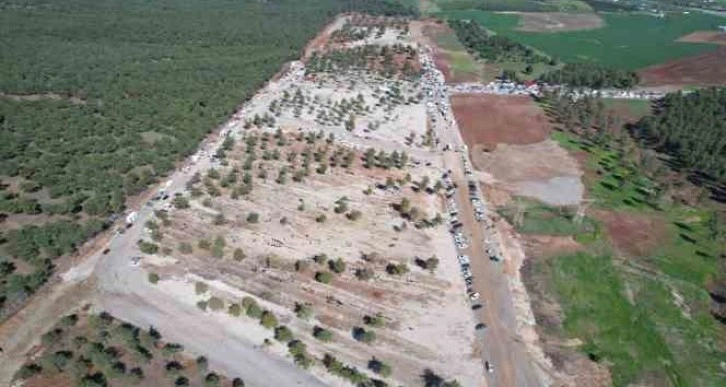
(492, 119)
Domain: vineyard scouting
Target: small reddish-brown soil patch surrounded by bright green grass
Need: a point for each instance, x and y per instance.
(633, 234)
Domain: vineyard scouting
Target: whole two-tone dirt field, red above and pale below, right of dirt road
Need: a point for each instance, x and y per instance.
(508, 140)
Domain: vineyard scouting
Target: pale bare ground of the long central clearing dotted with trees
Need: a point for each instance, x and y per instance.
(428, 321)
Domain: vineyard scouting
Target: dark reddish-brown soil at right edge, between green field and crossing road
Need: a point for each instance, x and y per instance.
(707, 69)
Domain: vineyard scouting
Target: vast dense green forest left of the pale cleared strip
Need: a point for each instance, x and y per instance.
(99, 99)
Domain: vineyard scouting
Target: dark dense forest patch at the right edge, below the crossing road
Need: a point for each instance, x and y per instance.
(692, 128)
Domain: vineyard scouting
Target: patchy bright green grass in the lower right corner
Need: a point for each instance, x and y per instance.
(626, 310)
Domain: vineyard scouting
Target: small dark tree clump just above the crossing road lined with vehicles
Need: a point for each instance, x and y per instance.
(592, 75)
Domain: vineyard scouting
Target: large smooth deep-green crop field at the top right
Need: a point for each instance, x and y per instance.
(628, 41)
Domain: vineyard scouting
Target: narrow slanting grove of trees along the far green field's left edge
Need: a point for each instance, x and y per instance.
(494, 48)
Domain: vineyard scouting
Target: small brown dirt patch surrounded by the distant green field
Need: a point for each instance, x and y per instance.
(558, 22)
